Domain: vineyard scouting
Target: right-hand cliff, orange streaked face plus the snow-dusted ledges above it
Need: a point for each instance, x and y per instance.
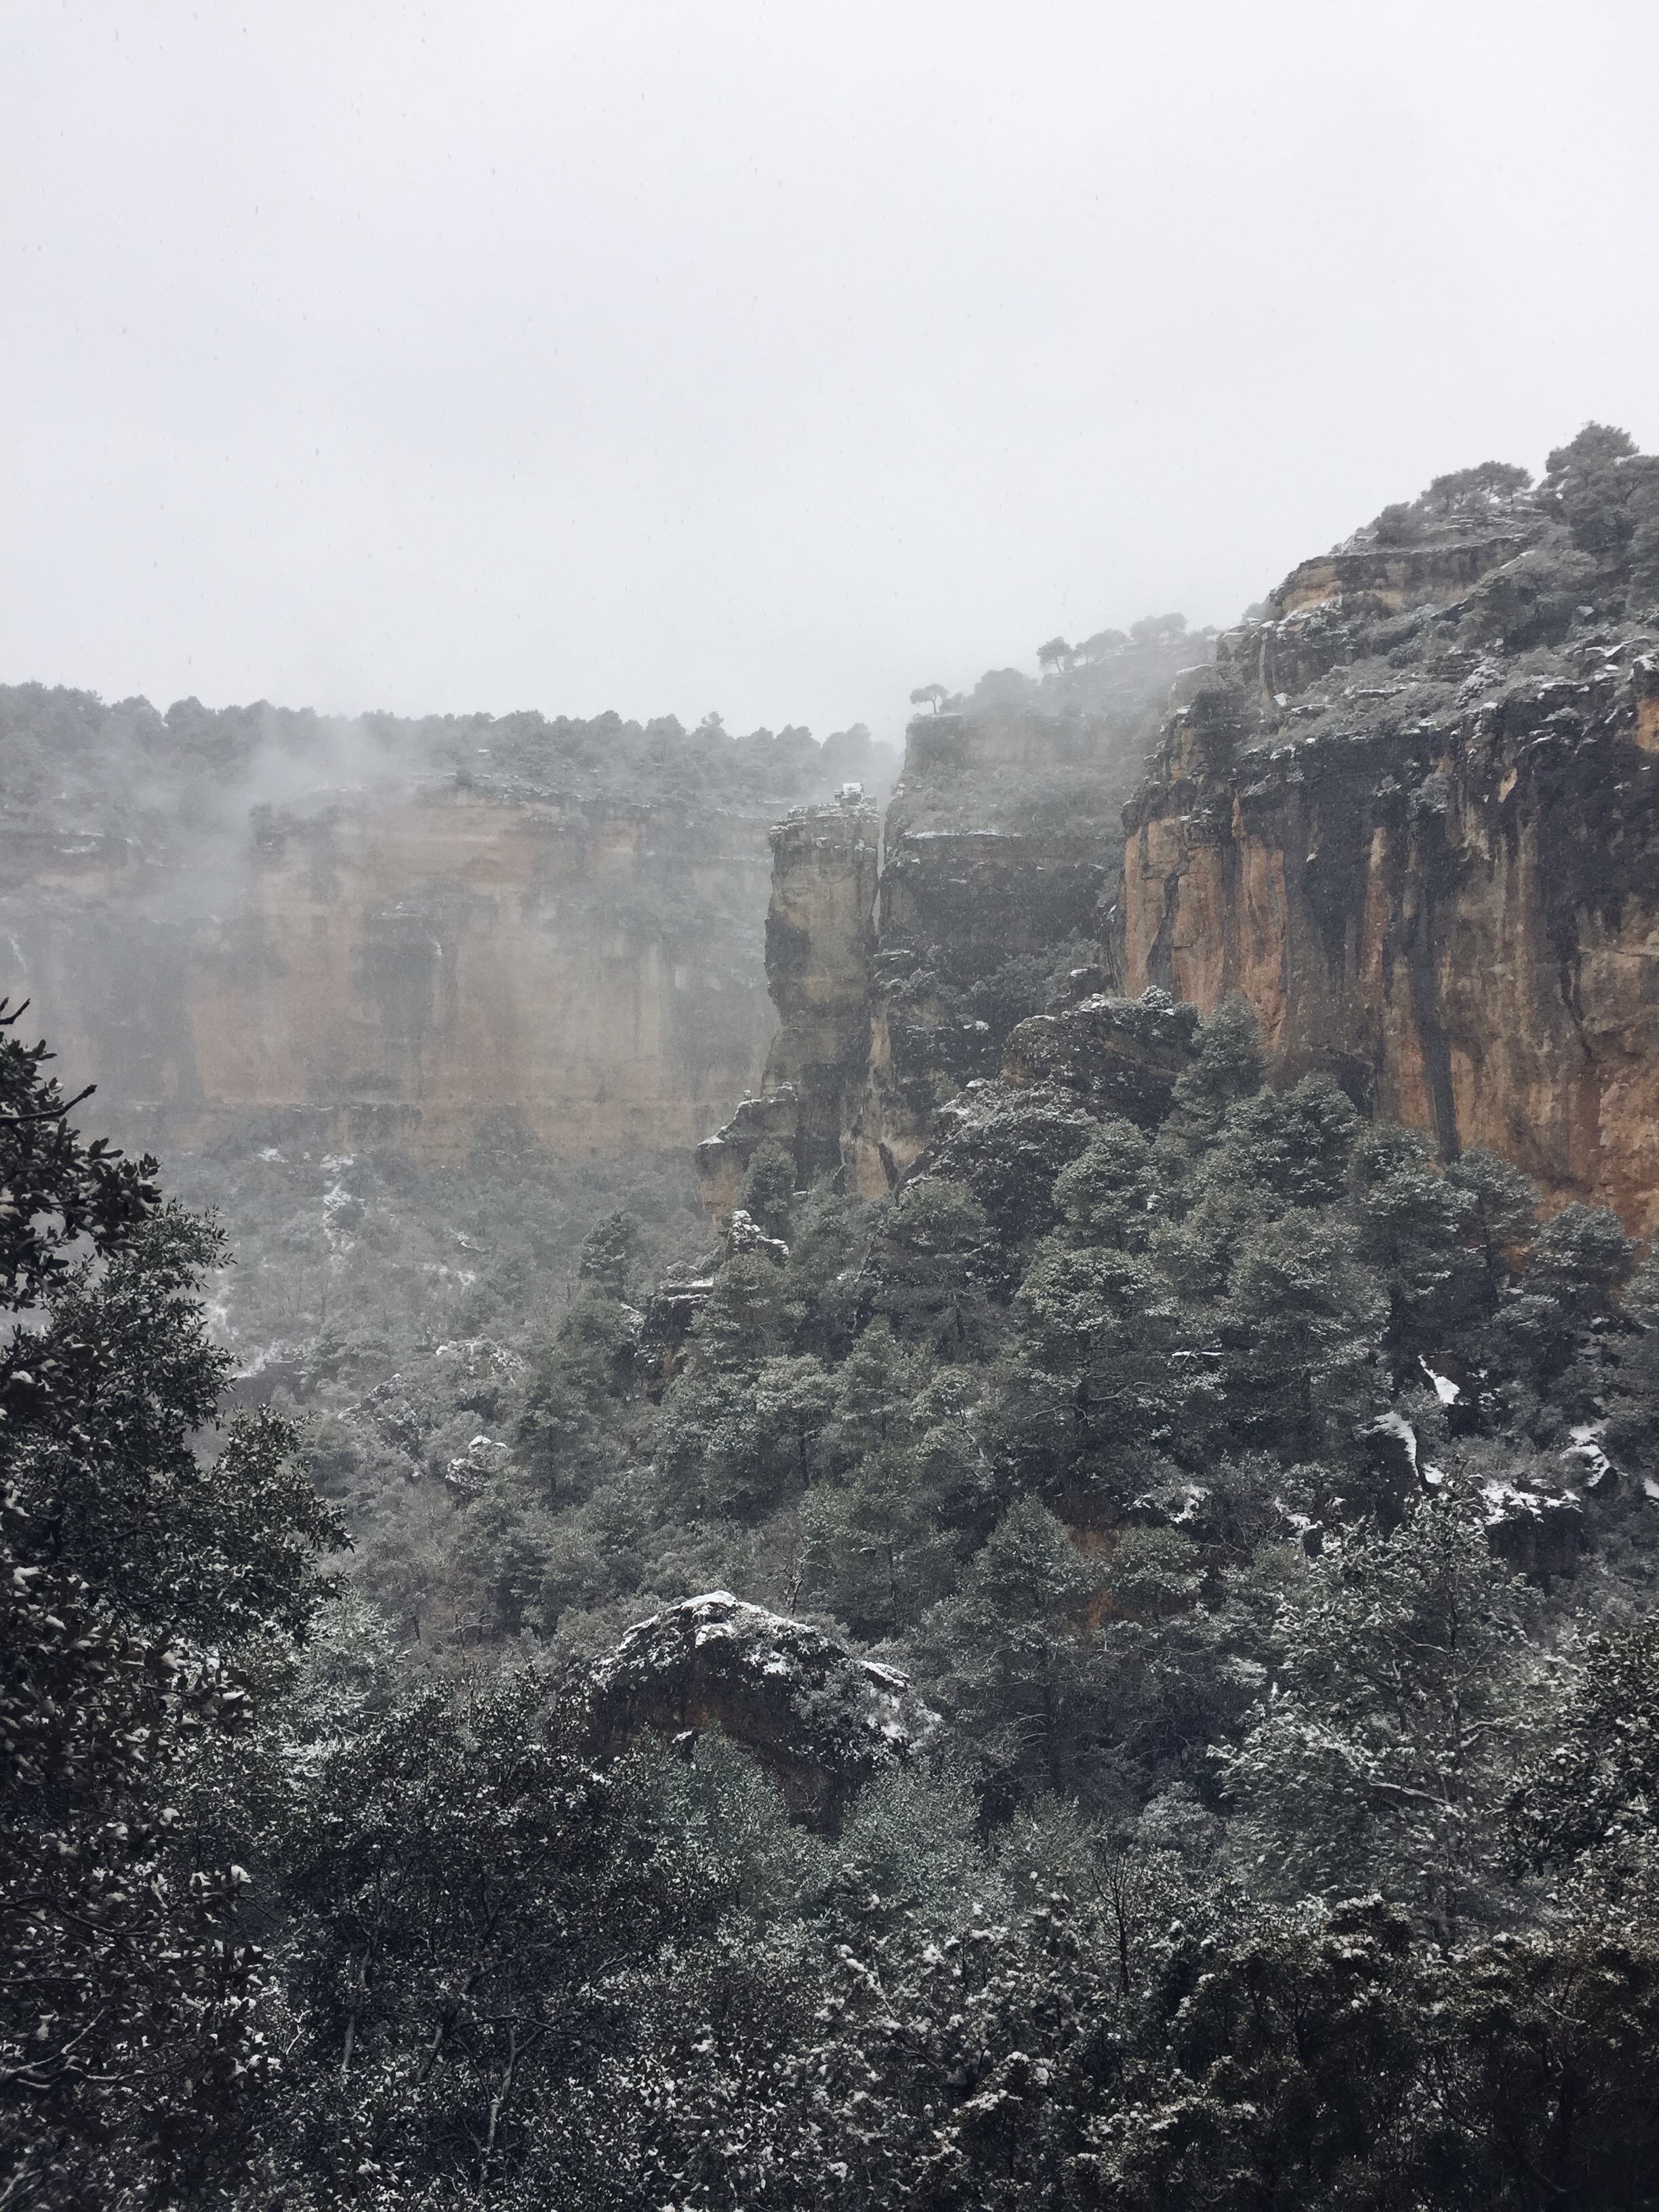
(1430, 862)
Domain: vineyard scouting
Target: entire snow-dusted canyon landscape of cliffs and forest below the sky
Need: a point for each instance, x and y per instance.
(1085, 1631)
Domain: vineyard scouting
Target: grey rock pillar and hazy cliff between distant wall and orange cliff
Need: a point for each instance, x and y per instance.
(904, 959)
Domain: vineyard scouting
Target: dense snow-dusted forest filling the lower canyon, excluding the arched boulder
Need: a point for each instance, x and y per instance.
(1255, 1507)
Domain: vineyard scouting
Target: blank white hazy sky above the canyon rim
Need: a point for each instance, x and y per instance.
(771, 357)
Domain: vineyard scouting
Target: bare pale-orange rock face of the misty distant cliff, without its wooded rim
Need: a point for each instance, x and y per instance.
(410, 970)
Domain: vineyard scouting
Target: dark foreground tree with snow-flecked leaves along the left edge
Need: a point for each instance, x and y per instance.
(143, 1589)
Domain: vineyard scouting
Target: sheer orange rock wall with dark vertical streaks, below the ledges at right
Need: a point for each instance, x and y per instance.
(1468, 937)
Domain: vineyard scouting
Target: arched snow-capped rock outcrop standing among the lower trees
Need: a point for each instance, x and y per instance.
(820, 1720)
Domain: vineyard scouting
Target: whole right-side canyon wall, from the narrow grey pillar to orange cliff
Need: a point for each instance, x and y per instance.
(1410, 811)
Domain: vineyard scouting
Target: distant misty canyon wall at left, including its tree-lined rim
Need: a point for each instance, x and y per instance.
(508, 930)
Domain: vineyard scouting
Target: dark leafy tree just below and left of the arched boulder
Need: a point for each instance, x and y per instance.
(463, 1888)
